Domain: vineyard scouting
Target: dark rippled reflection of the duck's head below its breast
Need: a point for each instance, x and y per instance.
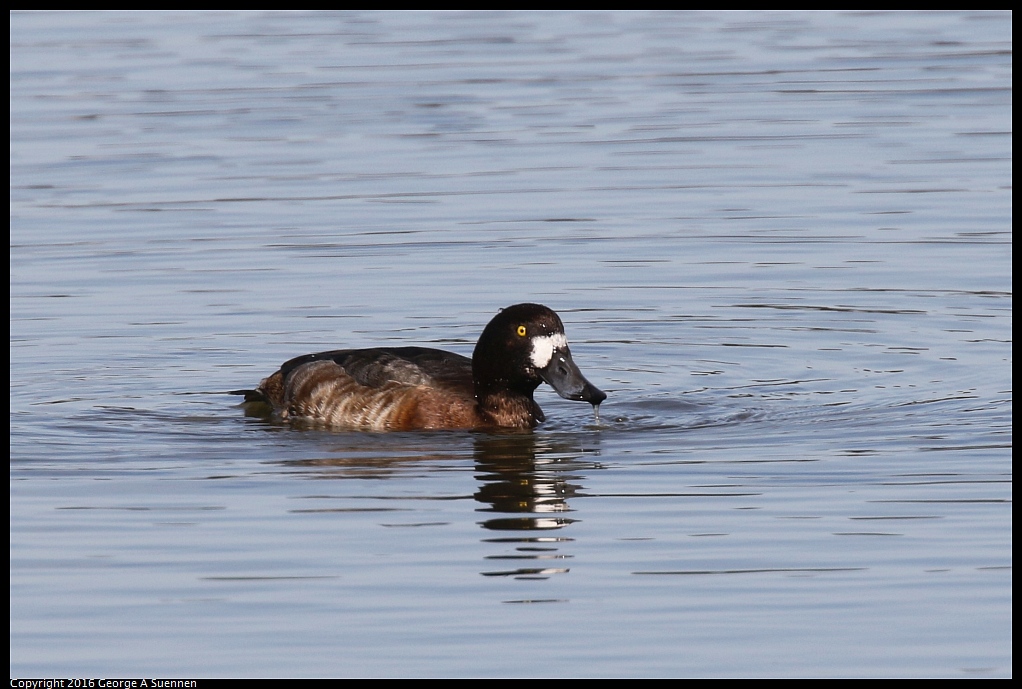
(533, 482)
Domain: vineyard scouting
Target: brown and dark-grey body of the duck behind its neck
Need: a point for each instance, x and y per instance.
(382, 389)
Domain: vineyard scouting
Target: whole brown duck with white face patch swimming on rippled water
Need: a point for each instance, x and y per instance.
(422, 389)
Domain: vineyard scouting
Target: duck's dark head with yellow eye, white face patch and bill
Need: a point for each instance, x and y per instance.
(525, 346)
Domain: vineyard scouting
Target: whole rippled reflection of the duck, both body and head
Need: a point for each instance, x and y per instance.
(526, 482)
